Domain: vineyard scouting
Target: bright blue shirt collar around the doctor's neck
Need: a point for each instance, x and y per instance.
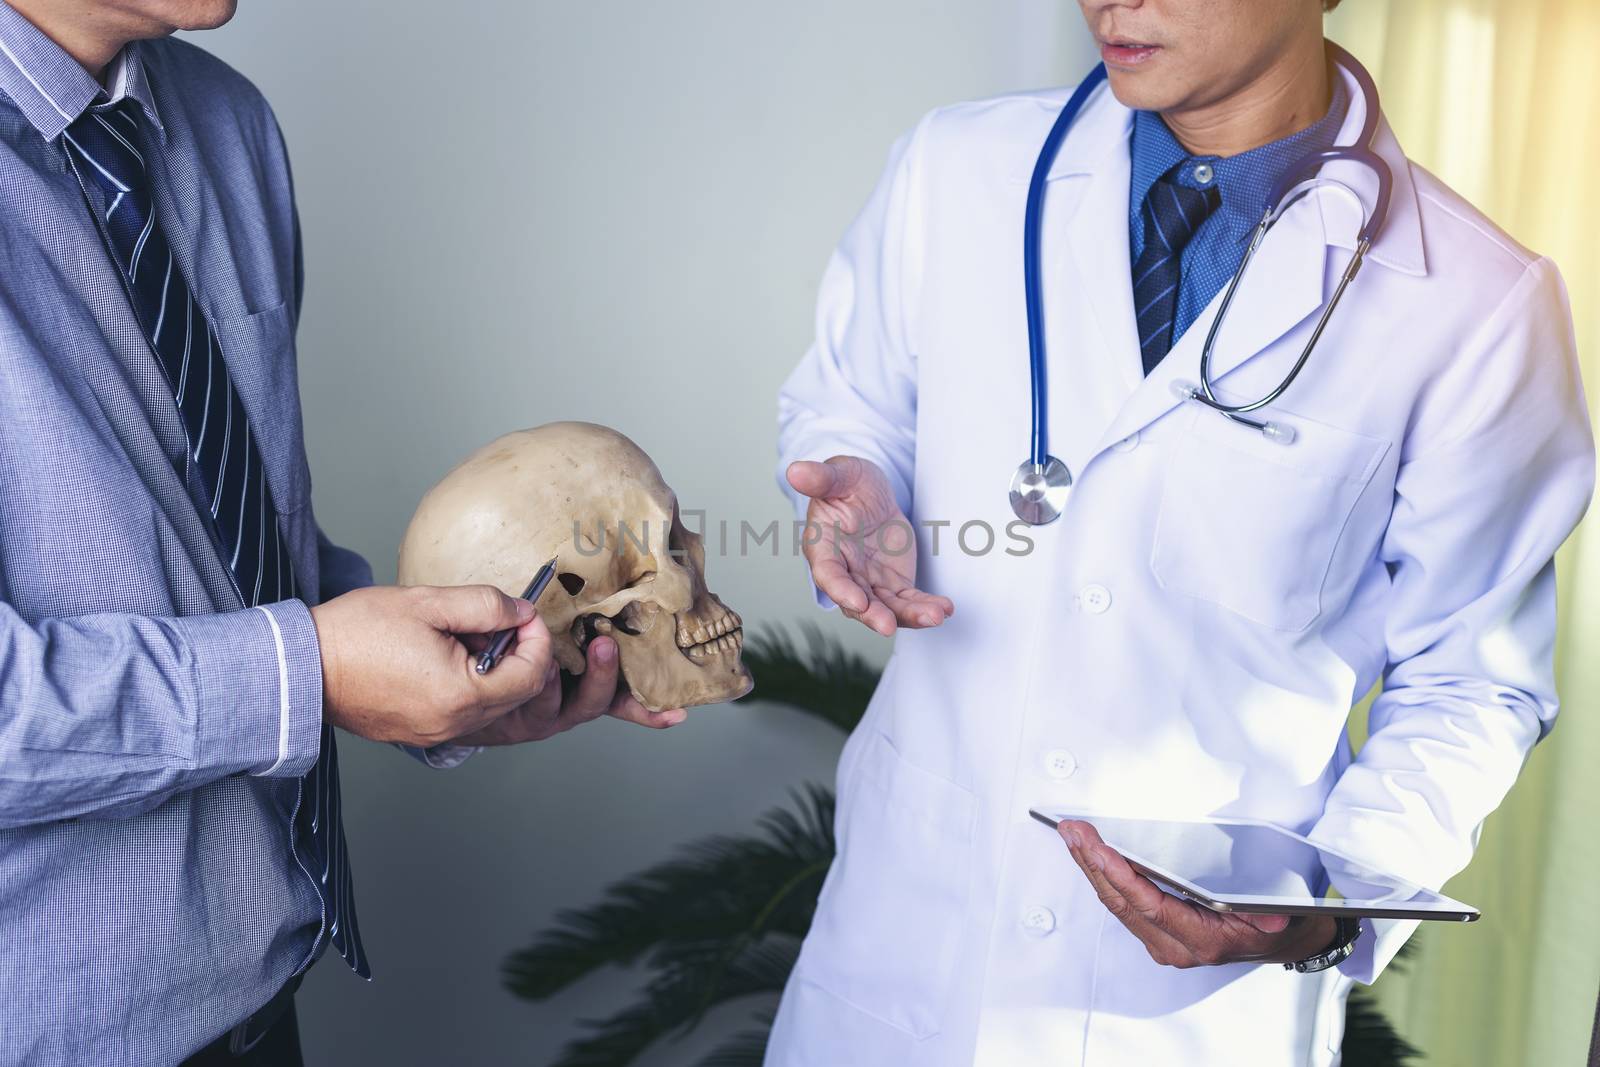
(1246, 180)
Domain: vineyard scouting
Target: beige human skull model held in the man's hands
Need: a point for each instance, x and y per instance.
(626, 567)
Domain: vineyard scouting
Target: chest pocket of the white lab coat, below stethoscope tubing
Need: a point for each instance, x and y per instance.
(1252, 526)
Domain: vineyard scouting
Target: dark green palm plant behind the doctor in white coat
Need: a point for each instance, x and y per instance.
(722, 922)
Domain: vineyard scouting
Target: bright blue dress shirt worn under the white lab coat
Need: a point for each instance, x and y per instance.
(1246, 183)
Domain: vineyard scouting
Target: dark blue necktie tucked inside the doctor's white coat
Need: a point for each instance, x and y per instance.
(1172, 215)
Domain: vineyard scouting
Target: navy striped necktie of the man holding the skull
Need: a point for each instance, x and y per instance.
(105, 148)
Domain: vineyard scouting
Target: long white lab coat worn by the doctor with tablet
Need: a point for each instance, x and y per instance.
(1190, 636)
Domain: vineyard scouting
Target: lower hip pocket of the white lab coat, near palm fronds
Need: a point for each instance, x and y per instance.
(889, 925)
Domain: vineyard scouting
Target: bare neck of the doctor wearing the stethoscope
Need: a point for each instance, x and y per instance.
(1290, 95)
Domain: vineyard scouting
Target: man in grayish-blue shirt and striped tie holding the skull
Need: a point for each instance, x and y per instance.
(177, 636)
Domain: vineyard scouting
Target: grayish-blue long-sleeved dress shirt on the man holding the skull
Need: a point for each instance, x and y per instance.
(154, 730)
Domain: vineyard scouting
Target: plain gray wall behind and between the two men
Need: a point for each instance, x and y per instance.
(610, 210)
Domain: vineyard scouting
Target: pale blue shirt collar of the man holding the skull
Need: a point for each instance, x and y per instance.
(52, 89)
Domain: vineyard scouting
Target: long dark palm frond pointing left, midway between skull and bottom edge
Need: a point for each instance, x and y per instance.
(724, 892)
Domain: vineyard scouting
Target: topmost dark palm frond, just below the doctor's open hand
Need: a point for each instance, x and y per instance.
(825, 679)
